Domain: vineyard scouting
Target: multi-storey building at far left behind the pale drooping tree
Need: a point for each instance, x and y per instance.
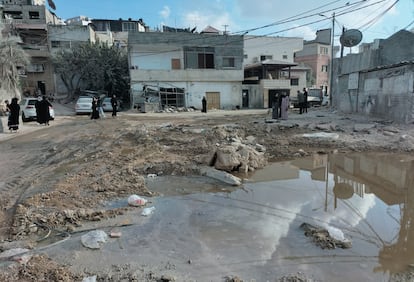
(29, 22)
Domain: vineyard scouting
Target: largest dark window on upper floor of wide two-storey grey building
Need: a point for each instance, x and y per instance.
(199, 57)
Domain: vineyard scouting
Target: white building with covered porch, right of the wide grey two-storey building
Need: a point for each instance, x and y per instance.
(268, 70)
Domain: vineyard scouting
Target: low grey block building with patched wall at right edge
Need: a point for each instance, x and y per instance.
(379, 81)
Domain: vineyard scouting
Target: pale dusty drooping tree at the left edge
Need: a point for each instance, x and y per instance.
(12, 58)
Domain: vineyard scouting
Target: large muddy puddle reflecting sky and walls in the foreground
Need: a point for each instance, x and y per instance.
(253, 232)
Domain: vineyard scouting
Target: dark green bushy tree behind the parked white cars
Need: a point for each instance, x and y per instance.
(95, 67)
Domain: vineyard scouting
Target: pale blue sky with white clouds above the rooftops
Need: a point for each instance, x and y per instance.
(291, 18)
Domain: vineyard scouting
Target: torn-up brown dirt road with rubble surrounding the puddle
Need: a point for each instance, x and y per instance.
(56, 183)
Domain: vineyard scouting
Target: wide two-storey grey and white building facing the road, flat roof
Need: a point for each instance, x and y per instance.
(180, 68)
